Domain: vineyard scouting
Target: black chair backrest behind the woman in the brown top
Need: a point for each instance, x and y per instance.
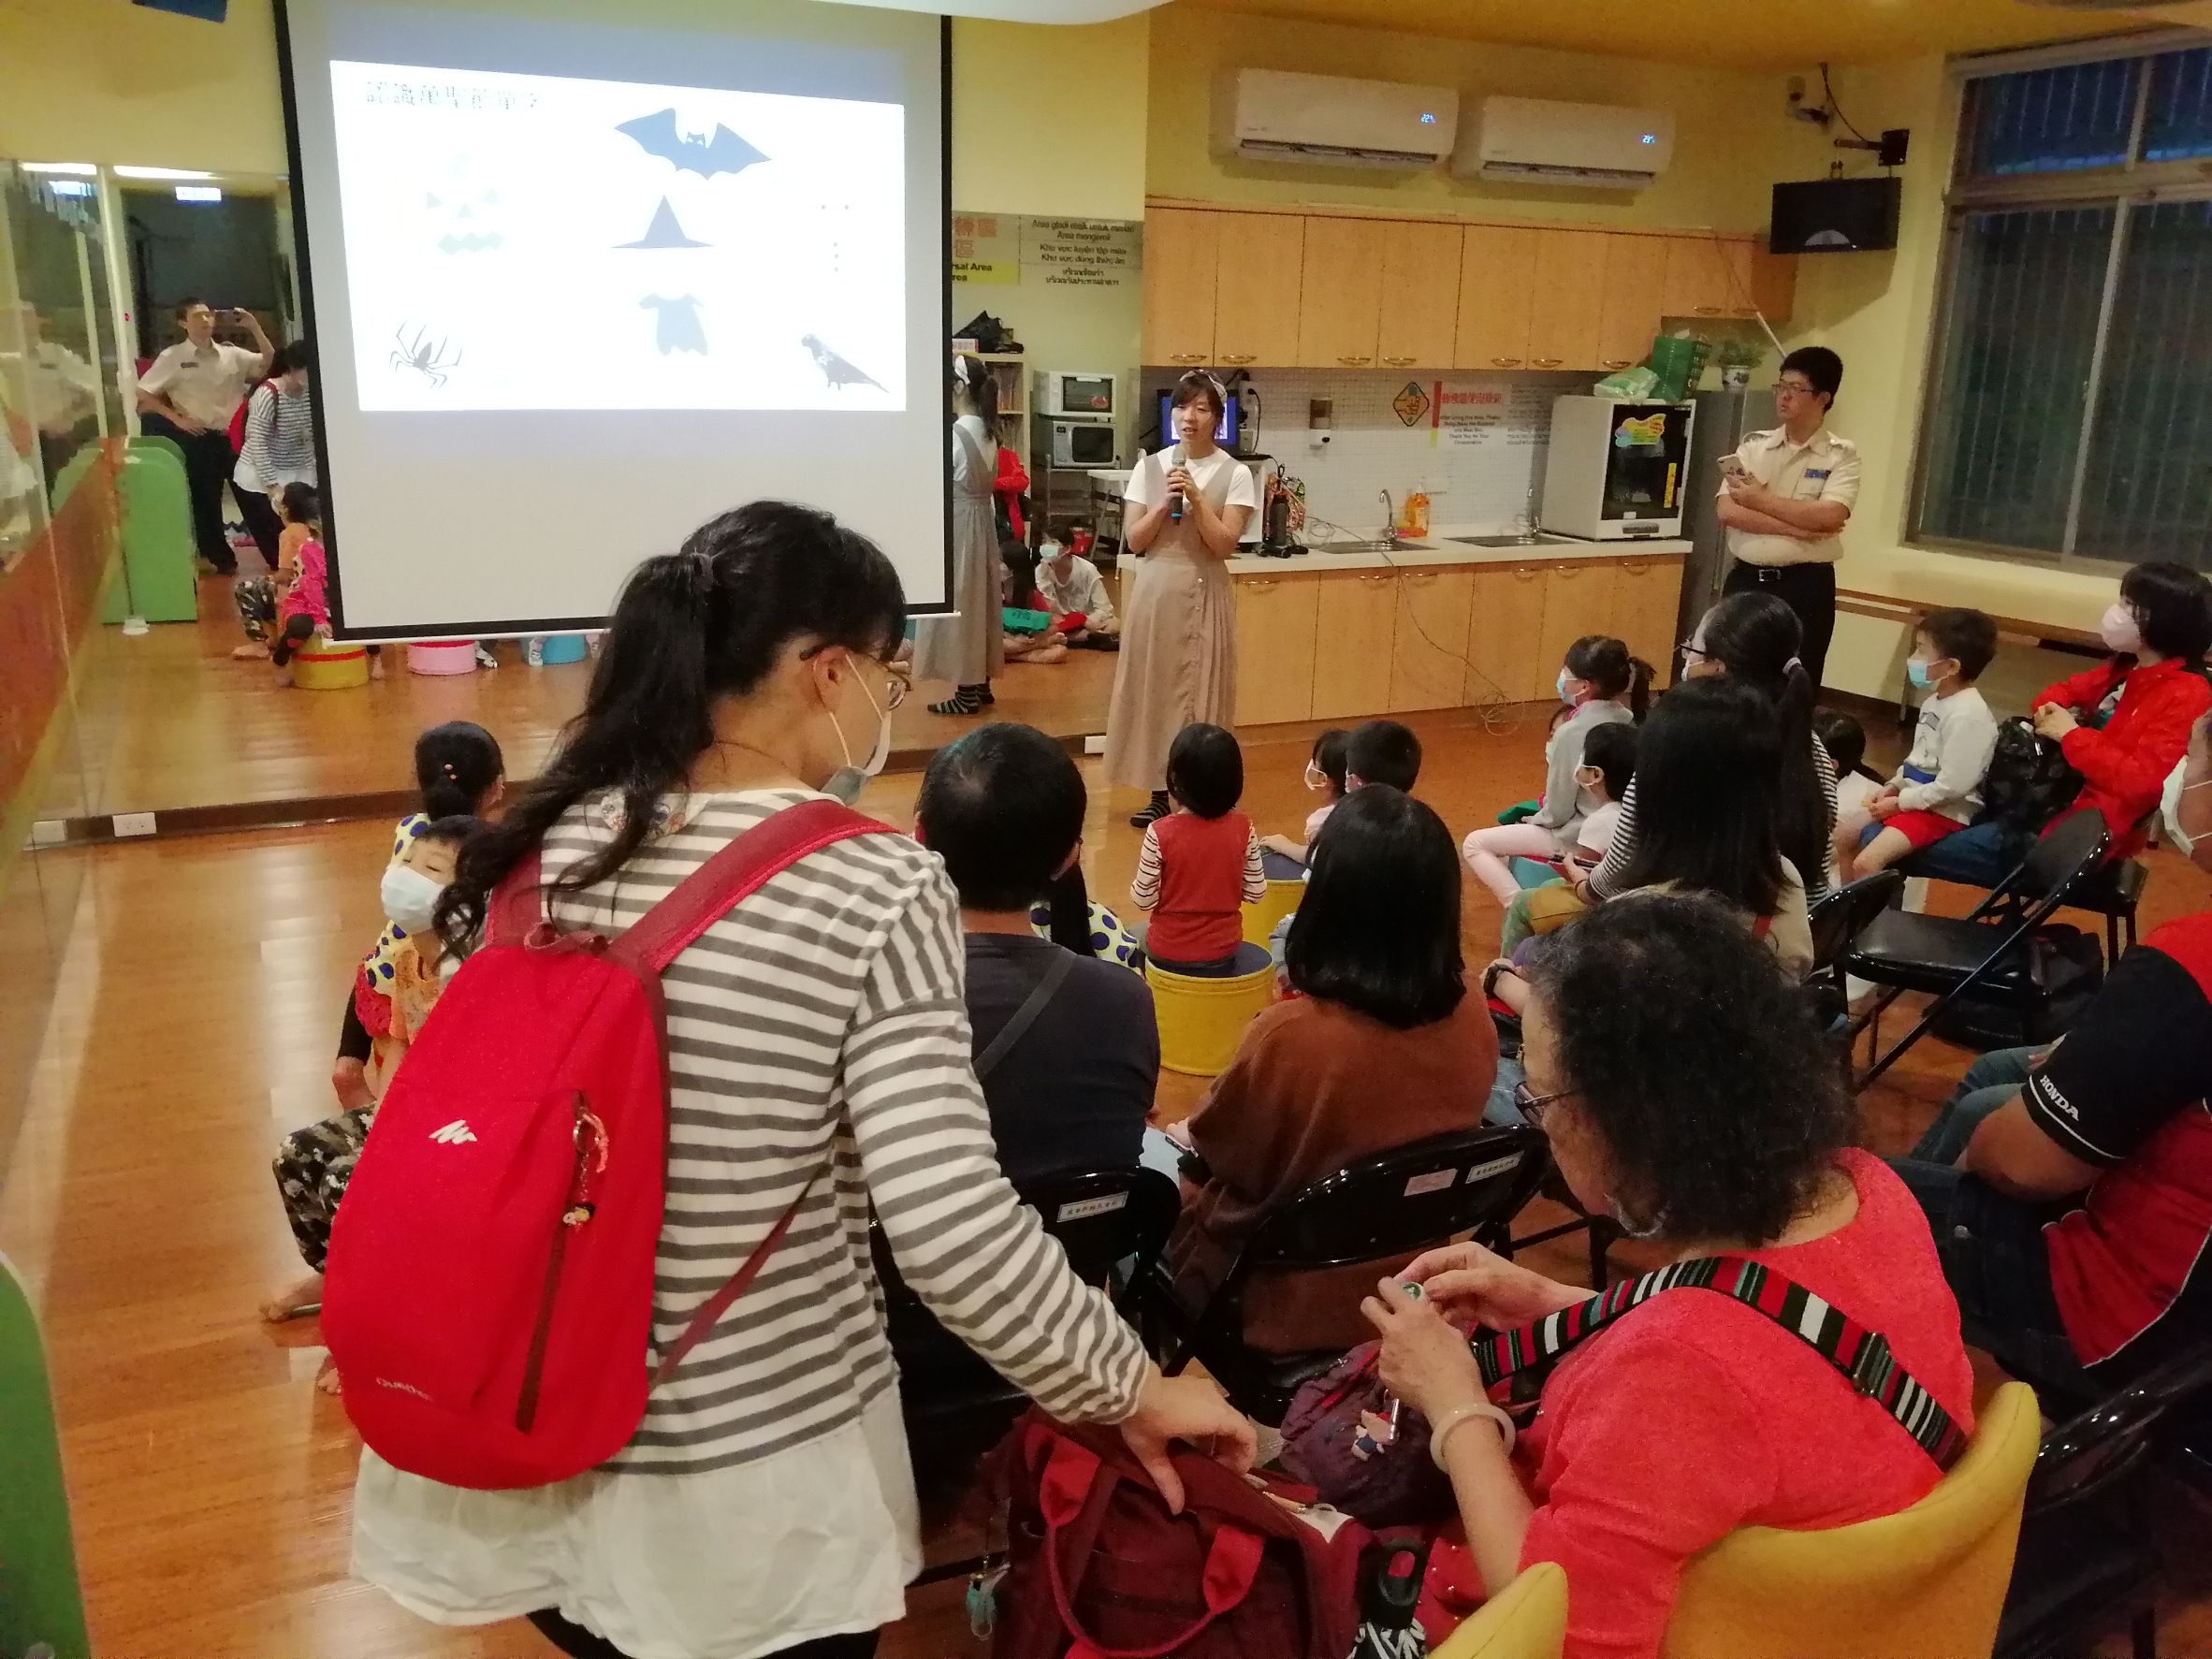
(1401, 1202)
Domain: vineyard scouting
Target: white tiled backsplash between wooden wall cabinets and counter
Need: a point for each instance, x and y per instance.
(1474, 444)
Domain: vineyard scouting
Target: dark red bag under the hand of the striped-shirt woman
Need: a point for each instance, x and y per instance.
(1103, 1572)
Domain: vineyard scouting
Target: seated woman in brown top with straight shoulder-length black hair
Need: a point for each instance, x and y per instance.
(1377, 1047)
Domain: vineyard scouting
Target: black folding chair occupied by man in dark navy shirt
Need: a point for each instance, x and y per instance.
(1100, 1218)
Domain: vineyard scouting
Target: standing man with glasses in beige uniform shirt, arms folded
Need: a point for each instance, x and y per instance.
(1791, 501)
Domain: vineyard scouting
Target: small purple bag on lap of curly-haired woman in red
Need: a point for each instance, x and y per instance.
(1333, 1441)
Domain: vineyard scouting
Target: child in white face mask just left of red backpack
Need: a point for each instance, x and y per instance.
(315, 1165)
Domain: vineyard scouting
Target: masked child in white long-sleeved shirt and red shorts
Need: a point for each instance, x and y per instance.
(1939, 789)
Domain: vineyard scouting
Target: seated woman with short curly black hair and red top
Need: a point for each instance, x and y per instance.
(1687, 1094)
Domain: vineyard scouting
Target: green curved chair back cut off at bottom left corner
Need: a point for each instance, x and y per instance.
(39, 1565)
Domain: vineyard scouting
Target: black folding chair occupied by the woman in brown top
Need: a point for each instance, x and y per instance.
(1386, 1207)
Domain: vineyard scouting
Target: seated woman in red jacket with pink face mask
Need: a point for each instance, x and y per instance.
(2125, 727)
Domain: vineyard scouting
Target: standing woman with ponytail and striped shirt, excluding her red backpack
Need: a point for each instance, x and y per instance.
(820, 1072)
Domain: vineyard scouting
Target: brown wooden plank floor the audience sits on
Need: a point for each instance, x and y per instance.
(196, 1025)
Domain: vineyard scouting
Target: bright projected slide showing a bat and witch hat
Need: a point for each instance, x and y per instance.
(541, 242)
